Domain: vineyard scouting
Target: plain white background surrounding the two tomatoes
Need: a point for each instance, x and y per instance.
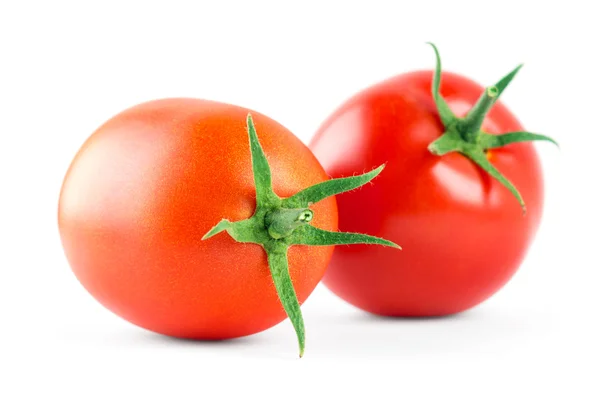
(65, 67)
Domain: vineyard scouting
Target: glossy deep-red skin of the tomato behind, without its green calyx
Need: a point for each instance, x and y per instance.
(463, 234)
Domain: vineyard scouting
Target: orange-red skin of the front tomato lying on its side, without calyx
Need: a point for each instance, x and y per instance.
(145, 188)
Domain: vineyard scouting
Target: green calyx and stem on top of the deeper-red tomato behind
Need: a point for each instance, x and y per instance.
(464, 135)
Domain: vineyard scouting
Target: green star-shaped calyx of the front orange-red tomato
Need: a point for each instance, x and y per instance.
(280, 223)
